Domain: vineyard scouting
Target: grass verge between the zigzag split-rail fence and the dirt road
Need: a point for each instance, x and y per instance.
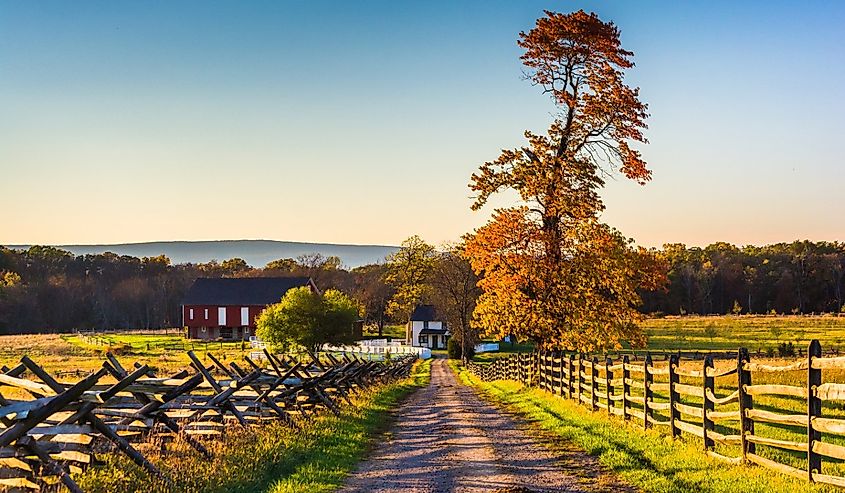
(269, 458)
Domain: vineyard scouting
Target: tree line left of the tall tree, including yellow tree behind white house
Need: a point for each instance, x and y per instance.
(45, 289)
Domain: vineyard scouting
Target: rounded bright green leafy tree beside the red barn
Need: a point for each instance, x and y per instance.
(307, 319)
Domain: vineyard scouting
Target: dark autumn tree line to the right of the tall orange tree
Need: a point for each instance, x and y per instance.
(785, 278)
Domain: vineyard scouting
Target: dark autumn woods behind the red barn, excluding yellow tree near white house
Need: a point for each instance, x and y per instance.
(48, 289)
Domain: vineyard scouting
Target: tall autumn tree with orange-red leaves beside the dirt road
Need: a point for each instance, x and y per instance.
(552, 272)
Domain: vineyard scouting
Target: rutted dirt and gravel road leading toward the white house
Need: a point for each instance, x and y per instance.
(446, 439)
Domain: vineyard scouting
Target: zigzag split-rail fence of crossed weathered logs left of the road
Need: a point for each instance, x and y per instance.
(59, 427)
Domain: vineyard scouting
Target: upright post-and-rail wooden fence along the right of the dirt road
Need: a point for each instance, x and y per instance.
(677, 397)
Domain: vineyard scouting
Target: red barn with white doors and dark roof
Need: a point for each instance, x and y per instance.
(226, 308)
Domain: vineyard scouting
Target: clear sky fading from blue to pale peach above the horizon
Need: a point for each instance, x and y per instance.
(354, 122)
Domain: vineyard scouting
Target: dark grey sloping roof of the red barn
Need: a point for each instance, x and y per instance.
(242, 290)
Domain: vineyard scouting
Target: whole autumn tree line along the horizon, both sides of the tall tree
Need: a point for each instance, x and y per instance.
(45, 288)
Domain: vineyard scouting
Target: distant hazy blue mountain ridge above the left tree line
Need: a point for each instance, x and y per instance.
(256, 252)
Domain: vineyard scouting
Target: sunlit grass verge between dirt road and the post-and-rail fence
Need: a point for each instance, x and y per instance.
(646, 459)
